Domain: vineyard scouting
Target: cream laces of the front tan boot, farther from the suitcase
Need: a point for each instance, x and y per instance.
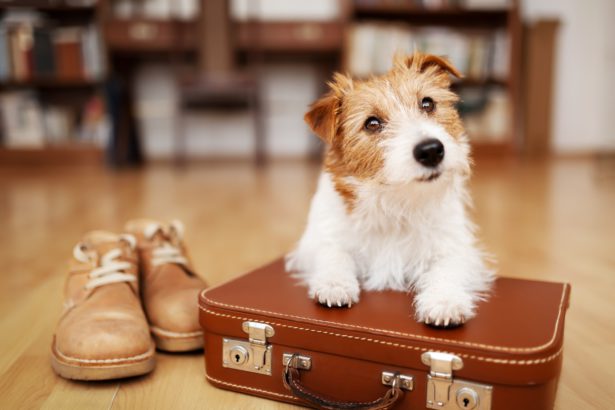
(110, 269)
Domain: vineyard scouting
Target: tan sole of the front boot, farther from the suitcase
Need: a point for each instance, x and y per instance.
(82, 369)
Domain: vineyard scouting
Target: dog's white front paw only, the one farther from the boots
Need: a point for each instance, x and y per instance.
(444, 309)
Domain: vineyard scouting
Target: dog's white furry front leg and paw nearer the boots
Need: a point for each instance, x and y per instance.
(333, 282)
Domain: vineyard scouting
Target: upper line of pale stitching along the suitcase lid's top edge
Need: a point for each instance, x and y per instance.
(499, 348)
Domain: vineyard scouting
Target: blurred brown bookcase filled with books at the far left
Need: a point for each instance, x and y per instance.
(52, 74)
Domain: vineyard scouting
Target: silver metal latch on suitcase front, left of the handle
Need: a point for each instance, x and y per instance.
(253, 355)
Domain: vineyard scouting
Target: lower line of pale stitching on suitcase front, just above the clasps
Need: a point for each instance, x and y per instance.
(467, 356)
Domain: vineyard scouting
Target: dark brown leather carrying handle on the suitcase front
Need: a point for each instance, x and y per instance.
(292, 381)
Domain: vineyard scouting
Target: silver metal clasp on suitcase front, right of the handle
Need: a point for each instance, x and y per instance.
(445, 392)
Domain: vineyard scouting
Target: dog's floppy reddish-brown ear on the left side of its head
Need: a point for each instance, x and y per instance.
(323, 114)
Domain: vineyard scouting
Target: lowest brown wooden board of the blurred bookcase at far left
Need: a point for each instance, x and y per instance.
(66, 155)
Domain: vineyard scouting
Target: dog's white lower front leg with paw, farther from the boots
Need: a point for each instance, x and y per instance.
(447, 293)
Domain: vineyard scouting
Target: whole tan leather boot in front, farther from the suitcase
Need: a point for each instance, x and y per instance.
(103, 332)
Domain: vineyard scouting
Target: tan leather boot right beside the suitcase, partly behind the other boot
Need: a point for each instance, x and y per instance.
(170, 287)
